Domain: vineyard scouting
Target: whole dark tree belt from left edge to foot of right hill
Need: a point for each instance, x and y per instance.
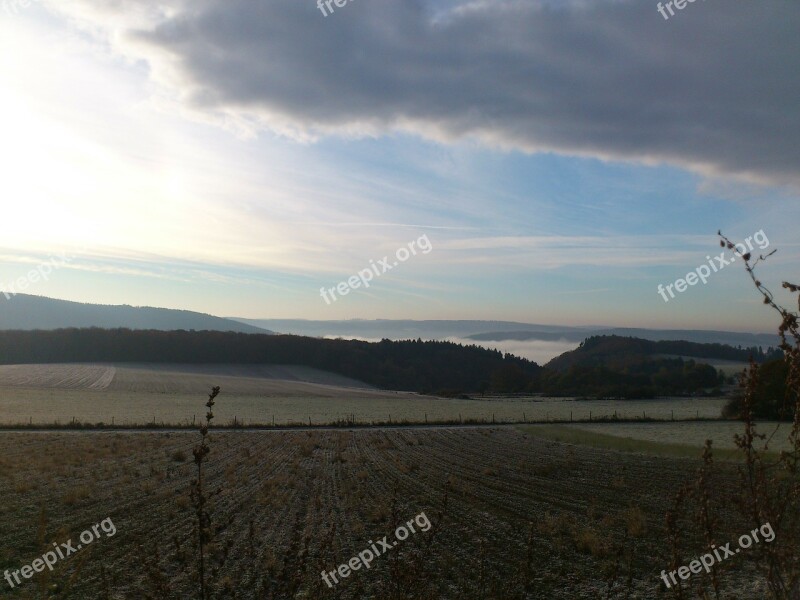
(430, 367)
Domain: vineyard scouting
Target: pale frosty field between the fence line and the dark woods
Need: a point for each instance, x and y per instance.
(140, 394)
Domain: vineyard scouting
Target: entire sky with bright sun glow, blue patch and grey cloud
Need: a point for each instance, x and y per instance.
(552, 161)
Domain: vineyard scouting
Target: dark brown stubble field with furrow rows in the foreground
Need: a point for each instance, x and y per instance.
(513, 516)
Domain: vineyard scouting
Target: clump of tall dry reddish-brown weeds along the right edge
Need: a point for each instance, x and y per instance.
(769, 487)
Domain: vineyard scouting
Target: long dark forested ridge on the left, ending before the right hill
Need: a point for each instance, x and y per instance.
(407, 365)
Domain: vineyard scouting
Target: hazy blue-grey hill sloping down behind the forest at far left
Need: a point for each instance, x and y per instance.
(25, 312)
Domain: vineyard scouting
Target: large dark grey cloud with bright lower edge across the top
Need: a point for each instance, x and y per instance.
(713, 90)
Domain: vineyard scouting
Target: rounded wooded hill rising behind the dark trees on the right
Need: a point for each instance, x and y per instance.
(618, 352)
